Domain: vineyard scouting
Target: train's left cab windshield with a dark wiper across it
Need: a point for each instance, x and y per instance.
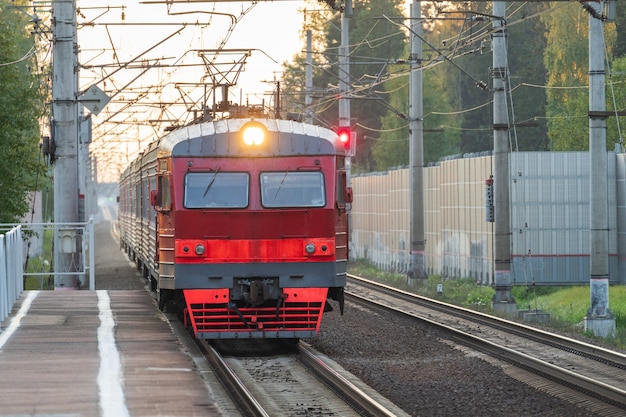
(216, 189)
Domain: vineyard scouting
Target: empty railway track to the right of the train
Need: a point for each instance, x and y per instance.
(576, 371)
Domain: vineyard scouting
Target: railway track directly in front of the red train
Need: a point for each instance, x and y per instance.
(299, 382)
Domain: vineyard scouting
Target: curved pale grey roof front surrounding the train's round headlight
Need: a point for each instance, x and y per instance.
(223, 138)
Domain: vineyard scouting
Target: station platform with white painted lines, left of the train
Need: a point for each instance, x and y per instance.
(107, 353)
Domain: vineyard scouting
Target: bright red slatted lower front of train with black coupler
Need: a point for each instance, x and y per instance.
(254, 308)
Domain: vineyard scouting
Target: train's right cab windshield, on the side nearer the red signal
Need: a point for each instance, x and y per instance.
(292, 189)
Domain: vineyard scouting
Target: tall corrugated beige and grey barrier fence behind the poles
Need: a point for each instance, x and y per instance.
(549, 218)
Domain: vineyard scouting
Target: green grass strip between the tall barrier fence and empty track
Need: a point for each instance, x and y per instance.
(567, 305)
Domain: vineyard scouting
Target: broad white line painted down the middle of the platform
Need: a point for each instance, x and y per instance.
(112, 400)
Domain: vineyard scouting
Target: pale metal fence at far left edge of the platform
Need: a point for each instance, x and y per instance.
(11, 283)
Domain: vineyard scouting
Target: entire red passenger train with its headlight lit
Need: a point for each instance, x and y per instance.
(245, 237)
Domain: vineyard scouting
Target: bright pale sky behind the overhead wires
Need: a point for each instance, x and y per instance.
(162, 66)
